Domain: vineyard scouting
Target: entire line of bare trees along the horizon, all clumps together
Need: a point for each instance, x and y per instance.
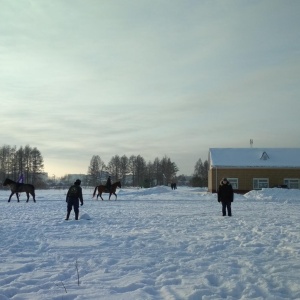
(161, 171)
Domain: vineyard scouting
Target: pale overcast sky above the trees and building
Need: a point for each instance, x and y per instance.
(152, 78)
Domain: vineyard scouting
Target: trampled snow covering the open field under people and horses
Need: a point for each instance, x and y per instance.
(151, 244)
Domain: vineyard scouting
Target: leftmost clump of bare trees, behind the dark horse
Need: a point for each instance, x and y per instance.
(24, 160)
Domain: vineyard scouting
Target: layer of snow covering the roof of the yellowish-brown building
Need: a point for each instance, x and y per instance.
(253, 157)
